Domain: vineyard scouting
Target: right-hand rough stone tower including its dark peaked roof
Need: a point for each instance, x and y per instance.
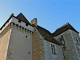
(69, 38)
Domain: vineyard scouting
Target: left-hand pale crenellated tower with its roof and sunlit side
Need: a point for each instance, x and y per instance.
(16, 39)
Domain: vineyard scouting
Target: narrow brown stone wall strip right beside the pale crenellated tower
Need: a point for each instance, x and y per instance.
(38, 46)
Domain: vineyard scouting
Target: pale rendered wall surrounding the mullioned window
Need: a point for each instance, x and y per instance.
(48, 52)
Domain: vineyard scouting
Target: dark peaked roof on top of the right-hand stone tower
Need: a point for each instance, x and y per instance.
(63, 28)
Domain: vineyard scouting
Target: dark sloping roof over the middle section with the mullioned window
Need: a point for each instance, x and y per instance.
(46, 34)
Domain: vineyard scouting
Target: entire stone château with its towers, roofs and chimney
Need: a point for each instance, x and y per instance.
(24, 40)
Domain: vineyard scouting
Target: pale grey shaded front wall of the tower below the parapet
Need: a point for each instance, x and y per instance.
(20, 44)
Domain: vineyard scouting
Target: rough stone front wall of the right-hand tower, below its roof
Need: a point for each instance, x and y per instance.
(70, 51)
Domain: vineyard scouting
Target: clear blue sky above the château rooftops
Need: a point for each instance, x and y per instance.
(51, 14)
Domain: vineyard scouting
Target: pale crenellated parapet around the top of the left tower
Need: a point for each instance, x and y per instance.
(16, 21)
